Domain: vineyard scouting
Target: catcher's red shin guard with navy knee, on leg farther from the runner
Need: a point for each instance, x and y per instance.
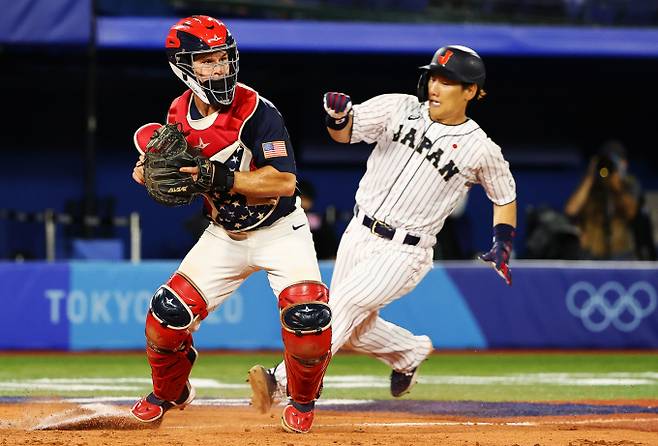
(176, 310)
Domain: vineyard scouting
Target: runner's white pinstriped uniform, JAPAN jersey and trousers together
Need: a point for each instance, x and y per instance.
(415, 177)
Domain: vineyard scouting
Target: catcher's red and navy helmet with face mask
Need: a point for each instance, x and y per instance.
(200, 34)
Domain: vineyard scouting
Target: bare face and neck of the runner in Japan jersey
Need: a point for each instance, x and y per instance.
(448, 99)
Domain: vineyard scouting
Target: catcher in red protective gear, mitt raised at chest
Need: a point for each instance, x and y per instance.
(229, 145)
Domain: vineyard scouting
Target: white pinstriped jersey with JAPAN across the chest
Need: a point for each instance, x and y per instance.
(419, 169)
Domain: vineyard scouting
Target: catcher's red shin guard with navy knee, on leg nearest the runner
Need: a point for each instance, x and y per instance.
(306, 333)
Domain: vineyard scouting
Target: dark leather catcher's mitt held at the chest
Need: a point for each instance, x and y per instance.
(166, 152)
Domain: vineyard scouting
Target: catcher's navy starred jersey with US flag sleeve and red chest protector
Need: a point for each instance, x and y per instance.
(246, 136)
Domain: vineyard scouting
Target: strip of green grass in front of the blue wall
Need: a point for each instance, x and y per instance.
(476, 369)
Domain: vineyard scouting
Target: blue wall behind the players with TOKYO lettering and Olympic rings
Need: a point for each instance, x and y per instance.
(96, 306)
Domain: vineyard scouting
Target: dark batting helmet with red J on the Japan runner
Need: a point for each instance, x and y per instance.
(456, 62)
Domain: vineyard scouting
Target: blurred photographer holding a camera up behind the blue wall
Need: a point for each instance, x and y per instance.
(605, 206)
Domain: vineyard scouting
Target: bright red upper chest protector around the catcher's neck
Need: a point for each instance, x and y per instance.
(227, 126)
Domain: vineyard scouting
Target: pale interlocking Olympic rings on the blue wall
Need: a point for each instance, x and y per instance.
(611, 304)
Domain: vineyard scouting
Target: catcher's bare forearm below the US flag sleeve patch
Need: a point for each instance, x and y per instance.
(265, 182)
